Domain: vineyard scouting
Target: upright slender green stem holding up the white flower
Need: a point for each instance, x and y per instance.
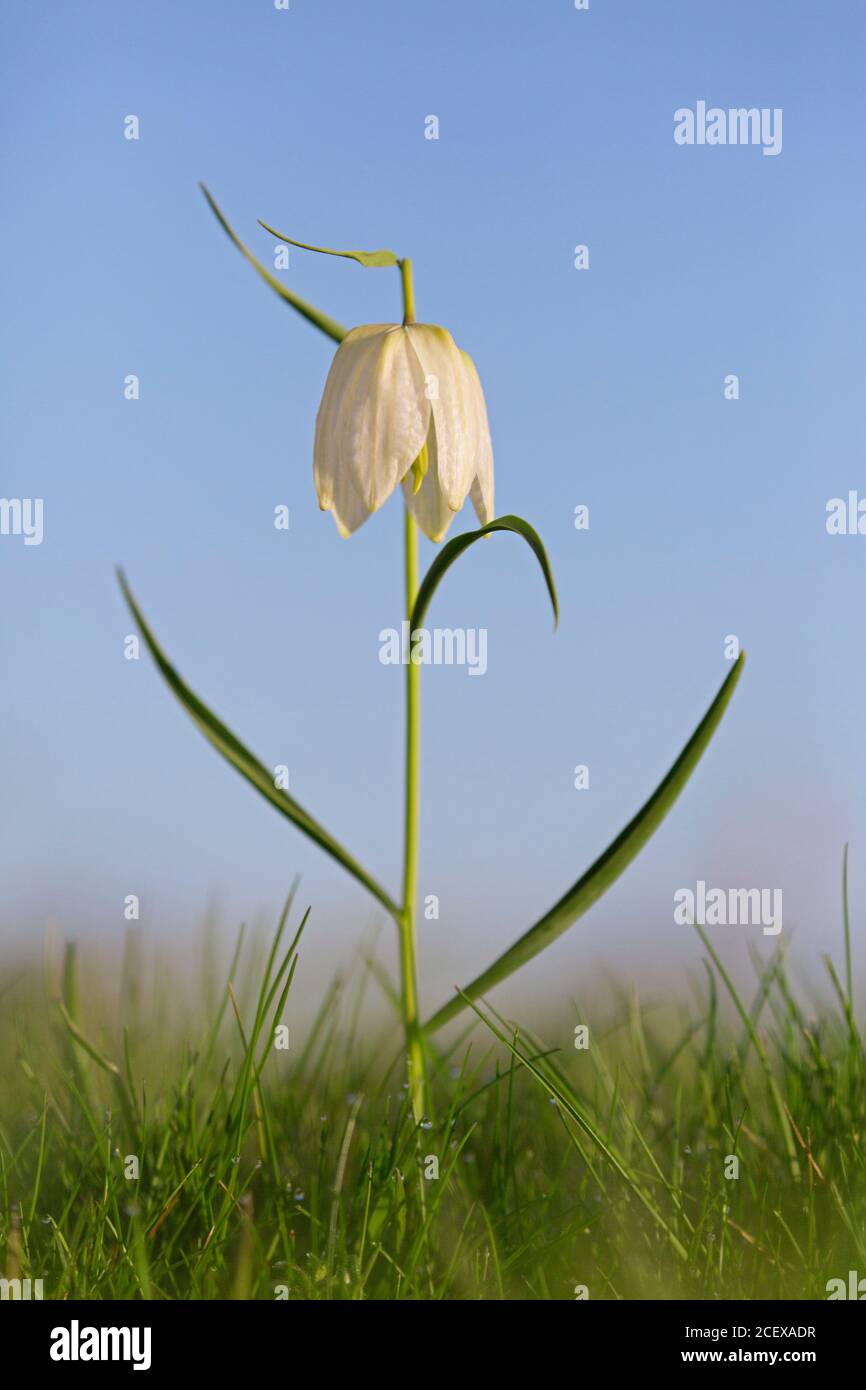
(415, 1043)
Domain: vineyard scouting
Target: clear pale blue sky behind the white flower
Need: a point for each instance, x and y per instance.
(605, 387)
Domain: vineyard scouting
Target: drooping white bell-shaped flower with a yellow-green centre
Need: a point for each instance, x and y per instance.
(402, 404)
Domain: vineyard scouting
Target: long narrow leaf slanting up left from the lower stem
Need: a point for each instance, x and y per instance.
(250, 767)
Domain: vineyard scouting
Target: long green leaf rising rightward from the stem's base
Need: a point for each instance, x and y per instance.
(607, 868)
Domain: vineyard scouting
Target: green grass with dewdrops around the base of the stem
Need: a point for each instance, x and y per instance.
(304, 1170)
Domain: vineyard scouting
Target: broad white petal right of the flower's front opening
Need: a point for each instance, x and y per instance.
(455, 409)
